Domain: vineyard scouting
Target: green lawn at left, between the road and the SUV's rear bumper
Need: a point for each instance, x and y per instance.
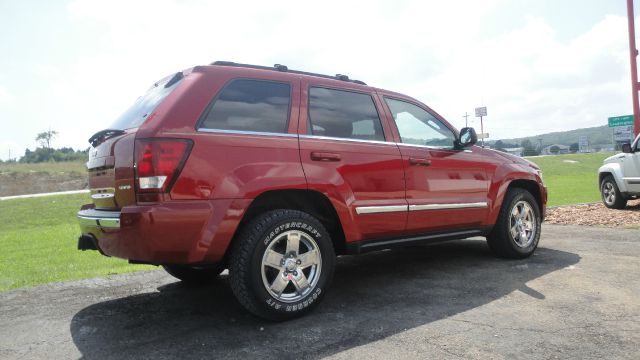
(38, 243)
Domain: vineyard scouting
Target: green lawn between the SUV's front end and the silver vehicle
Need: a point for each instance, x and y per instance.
(571, 179)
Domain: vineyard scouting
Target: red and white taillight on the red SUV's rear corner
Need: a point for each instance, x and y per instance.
(159, 162)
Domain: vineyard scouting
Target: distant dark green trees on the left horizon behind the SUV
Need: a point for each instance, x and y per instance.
(45, 153)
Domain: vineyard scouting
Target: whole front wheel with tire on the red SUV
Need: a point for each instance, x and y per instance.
(517, 232)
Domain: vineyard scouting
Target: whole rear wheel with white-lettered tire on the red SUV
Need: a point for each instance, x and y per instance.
(281, 264)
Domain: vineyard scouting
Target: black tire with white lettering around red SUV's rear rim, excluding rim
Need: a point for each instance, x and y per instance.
(263, 299)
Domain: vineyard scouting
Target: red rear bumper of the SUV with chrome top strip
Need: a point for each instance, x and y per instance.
(157, 234)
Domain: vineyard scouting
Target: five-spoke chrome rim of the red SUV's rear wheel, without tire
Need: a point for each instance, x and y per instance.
(291, 266)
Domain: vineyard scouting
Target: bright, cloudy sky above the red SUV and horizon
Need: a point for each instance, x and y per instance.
(539, 66)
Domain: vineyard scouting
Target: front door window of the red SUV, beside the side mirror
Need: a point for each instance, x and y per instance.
(417, 126)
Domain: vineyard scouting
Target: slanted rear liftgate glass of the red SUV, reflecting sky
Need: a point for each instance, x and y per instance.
(147, 103)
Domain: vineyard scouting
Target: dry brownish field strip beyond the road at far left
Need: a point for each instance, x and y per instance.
(21, 183)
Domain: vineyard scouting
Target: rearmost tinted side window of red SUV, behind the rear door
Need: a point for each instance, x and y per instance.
(250, 105)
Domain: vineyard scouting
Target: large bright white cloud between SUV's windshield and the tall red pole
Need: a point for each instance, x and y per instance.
(533, 83)
